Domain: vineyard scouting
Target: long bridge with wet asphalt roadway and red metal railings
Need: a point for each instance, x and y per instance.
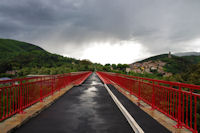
(98, 102)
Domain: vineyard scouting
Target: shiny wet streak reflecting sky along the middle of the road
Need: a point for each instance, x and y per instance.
(87, 109)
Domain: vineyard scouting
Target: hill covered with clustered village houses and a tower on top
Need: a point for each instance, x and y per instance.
(165, 64)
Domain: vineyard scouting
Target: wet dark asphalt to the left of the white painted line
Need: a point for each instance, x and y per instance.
(83, 109)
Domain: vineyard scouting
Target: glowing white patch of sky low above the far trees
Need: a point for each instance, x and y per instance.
(124, 52)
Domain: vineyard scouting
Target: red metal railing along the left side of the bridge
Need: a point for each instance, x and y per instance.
(18, 94)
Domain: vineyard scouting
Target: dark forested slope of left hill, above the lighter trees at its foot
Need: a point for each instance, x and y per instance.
(16, 55)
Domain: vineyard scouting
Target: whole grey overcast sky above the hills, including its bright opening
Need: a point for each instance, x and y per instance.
(104, 31)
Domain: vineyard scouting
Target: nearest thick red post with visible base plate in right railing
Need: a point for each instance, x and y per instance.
(179, 125)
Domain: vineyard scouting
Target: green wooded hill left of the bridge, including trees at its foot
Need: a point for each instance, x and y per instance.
(28, 58)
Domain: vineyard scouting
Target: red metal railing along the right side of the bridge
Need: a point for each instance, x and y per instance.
(179, 101)
